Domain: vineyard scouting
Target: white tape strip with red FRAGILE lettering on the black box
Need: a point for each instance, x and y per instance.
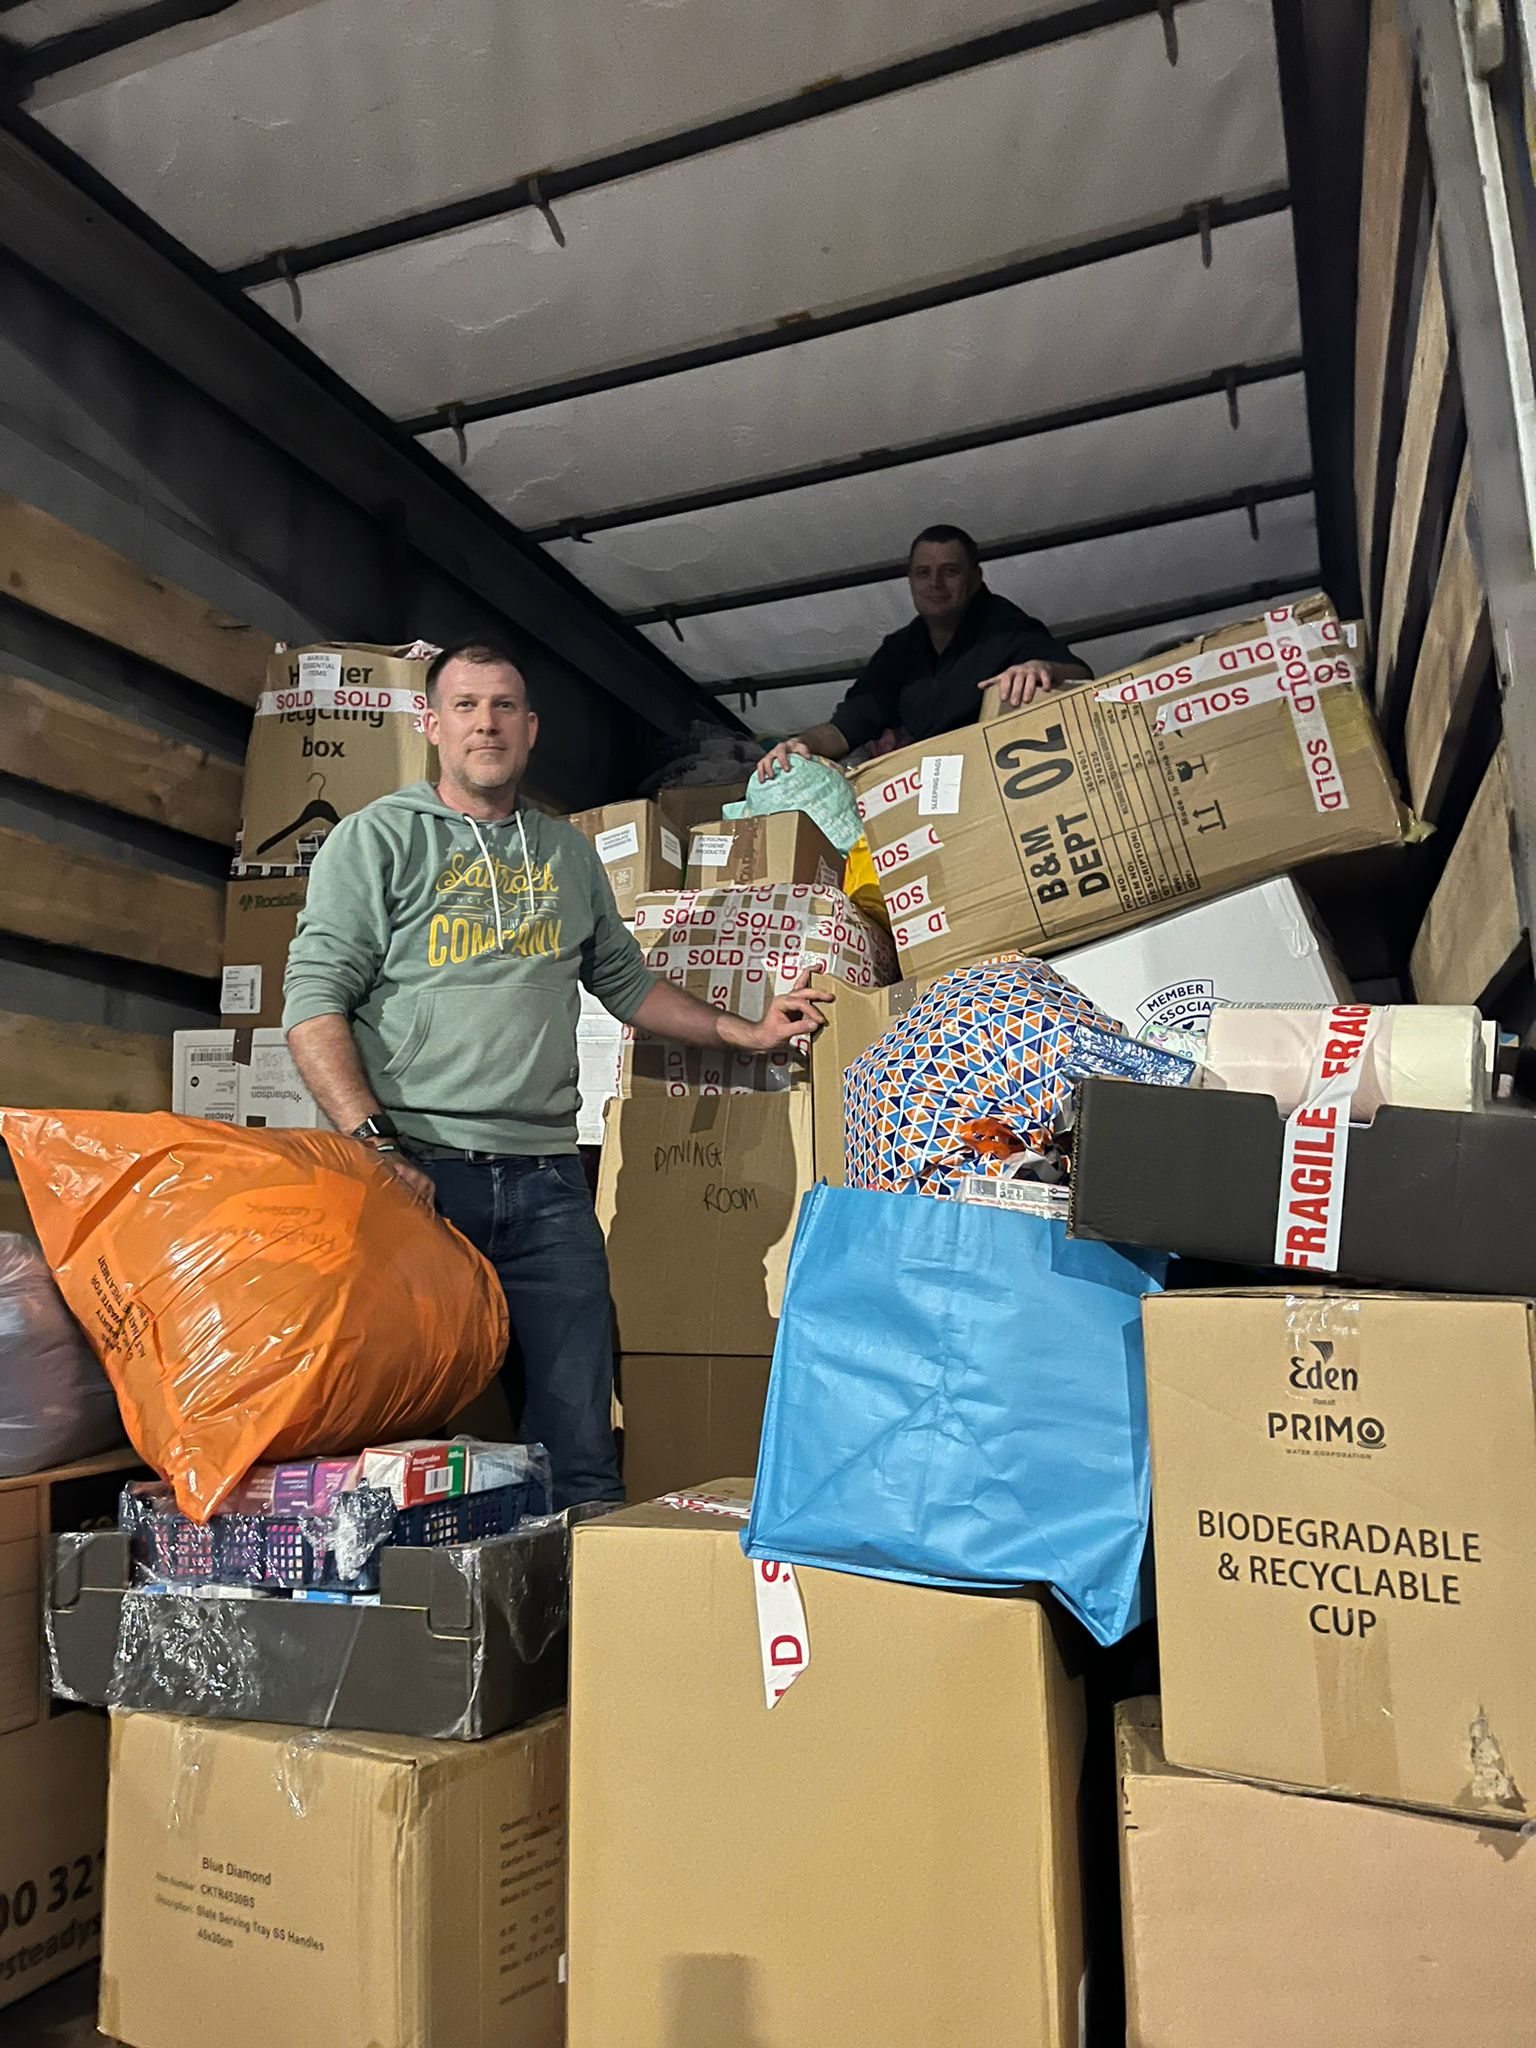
(1318, 1144)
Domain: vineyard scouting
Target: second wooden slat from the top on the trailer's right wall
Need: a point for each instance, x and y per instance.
(1424, 484)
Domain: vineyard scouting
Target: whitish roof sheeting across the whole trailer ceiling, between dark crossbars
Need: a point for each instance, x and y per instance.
(288, 122)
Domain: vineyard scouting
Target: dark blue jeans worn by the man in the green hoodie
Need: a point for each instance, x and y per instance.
(536, 1224)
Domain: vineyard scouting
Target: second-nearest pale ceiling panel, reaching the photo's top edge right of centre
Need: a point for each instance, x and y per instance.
(853, 208)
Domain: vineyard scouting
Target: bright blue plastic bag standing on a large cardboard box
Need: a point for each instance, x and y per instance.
(957, 1400)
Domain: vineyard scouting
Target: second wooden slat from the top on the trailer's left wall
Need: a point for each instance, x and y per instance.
(56, 740)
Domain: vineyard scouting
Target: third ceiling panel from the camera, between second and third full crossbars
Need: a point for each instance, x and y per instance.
(1060, 341)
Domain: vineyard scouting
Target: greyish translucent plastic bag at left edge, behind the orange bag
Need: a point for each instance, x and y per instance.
(56, 1404)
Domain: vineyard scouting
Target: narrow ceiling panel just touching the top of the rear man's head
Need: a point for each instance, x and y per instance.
(1099, 470)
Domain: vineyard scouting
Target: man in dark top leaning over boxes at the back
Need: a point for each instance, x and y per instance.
(929, 677)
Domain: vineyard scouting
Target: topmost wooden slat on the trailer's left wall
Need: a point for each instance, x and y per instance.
(62, 572)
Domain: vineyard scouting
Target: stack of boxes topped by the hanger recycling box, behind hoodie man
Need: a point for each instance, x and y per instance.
(335, 730)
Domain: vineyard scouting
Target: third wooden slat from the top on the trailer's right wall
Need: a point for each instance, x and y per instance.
(1453, 660)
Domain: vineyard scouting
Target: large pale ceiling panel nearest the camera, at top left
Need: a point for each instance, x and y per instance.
(288, 124)
